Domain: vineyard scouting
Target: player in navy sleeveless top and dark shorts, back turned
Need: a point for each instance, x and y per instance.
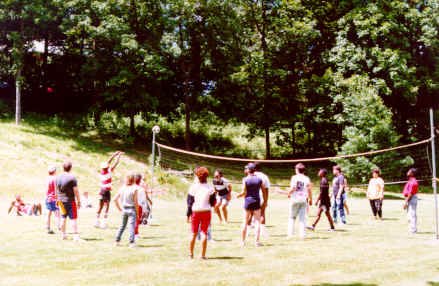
(252, 202)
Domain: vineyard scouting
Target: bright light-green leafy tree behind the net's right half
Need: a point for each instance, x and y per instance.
(368, 126)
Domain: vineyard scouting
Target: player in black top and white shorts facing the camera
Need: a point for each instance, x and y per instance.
(223, 190)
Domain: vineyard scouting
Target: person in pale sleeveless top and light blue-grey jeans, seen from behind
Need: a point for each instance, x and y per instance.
(128, 199)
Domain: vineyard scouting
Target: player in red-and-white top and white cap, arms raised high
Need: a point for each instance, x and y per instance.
(105, 188)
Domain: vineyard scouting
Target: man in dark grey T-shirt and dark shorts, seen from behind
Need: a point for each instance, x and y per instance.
(68, 198)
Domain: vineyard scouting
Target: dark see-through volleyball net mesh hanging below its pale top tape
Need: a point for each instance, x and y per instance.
(393, 162)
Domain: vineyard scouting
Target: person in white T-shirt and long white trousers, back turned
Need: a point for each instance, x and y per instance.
(299, 194)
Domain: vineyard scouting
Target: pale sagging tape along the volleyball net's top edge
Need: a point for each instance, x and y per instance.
(293, 160)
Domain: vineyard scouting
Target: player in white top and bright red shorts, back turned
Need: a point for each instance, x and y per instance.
(200, 200)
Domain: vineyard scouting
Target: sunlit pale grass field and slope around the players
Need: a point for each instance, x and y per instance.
(364, 252)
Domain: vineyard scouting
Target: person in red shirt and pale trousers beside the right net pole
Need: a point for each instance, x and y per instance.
(411, 200)
